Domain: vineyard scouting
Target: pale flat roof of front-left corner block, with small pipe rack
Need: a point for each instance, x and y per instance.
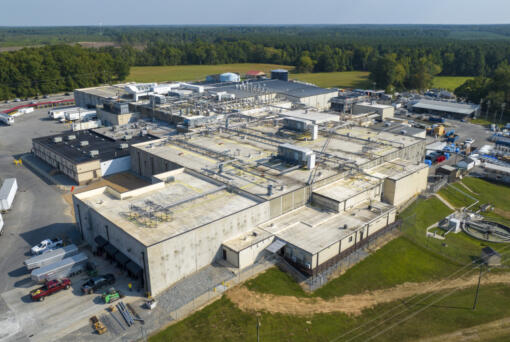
(176, 207)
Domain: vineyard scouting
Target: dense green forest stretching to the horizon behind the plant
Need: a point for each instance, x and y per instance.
(398, 56)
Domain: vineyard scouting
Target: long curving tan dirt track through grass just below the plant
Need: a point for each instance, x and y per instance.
(247, 300)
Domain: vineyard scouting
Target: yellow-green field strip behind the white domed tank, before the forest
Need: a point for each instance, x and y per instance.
(194, 72)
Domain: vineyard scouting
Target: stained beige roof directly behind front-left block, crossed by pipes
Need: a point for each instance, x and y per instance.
(247, 163)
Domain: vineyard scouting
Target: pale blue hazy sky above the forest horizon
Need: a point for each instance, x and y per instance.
(251, 12)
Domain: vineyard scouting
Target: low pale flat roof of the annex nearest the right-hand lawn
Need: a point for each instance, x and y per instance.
(313, 230)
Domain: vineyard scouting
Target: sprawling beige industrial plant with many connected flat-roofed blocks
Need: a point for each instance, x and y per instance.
(255, 170)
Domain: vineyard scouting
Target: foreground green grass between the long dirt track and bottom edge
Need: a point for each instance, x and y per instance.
(223, 321)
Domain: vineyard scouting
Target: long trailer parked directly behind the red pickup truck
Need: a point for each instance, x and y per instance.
(64, 268)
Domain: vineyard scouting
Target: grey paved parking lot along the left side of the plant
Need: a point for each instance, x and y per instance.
(39, 211)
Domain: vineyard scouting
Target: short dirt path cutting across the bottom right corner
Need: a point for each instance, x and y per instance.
(482, 332)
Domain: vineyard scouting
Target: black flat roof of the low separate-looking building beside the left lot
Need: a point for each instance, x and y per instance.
(107, 147)
